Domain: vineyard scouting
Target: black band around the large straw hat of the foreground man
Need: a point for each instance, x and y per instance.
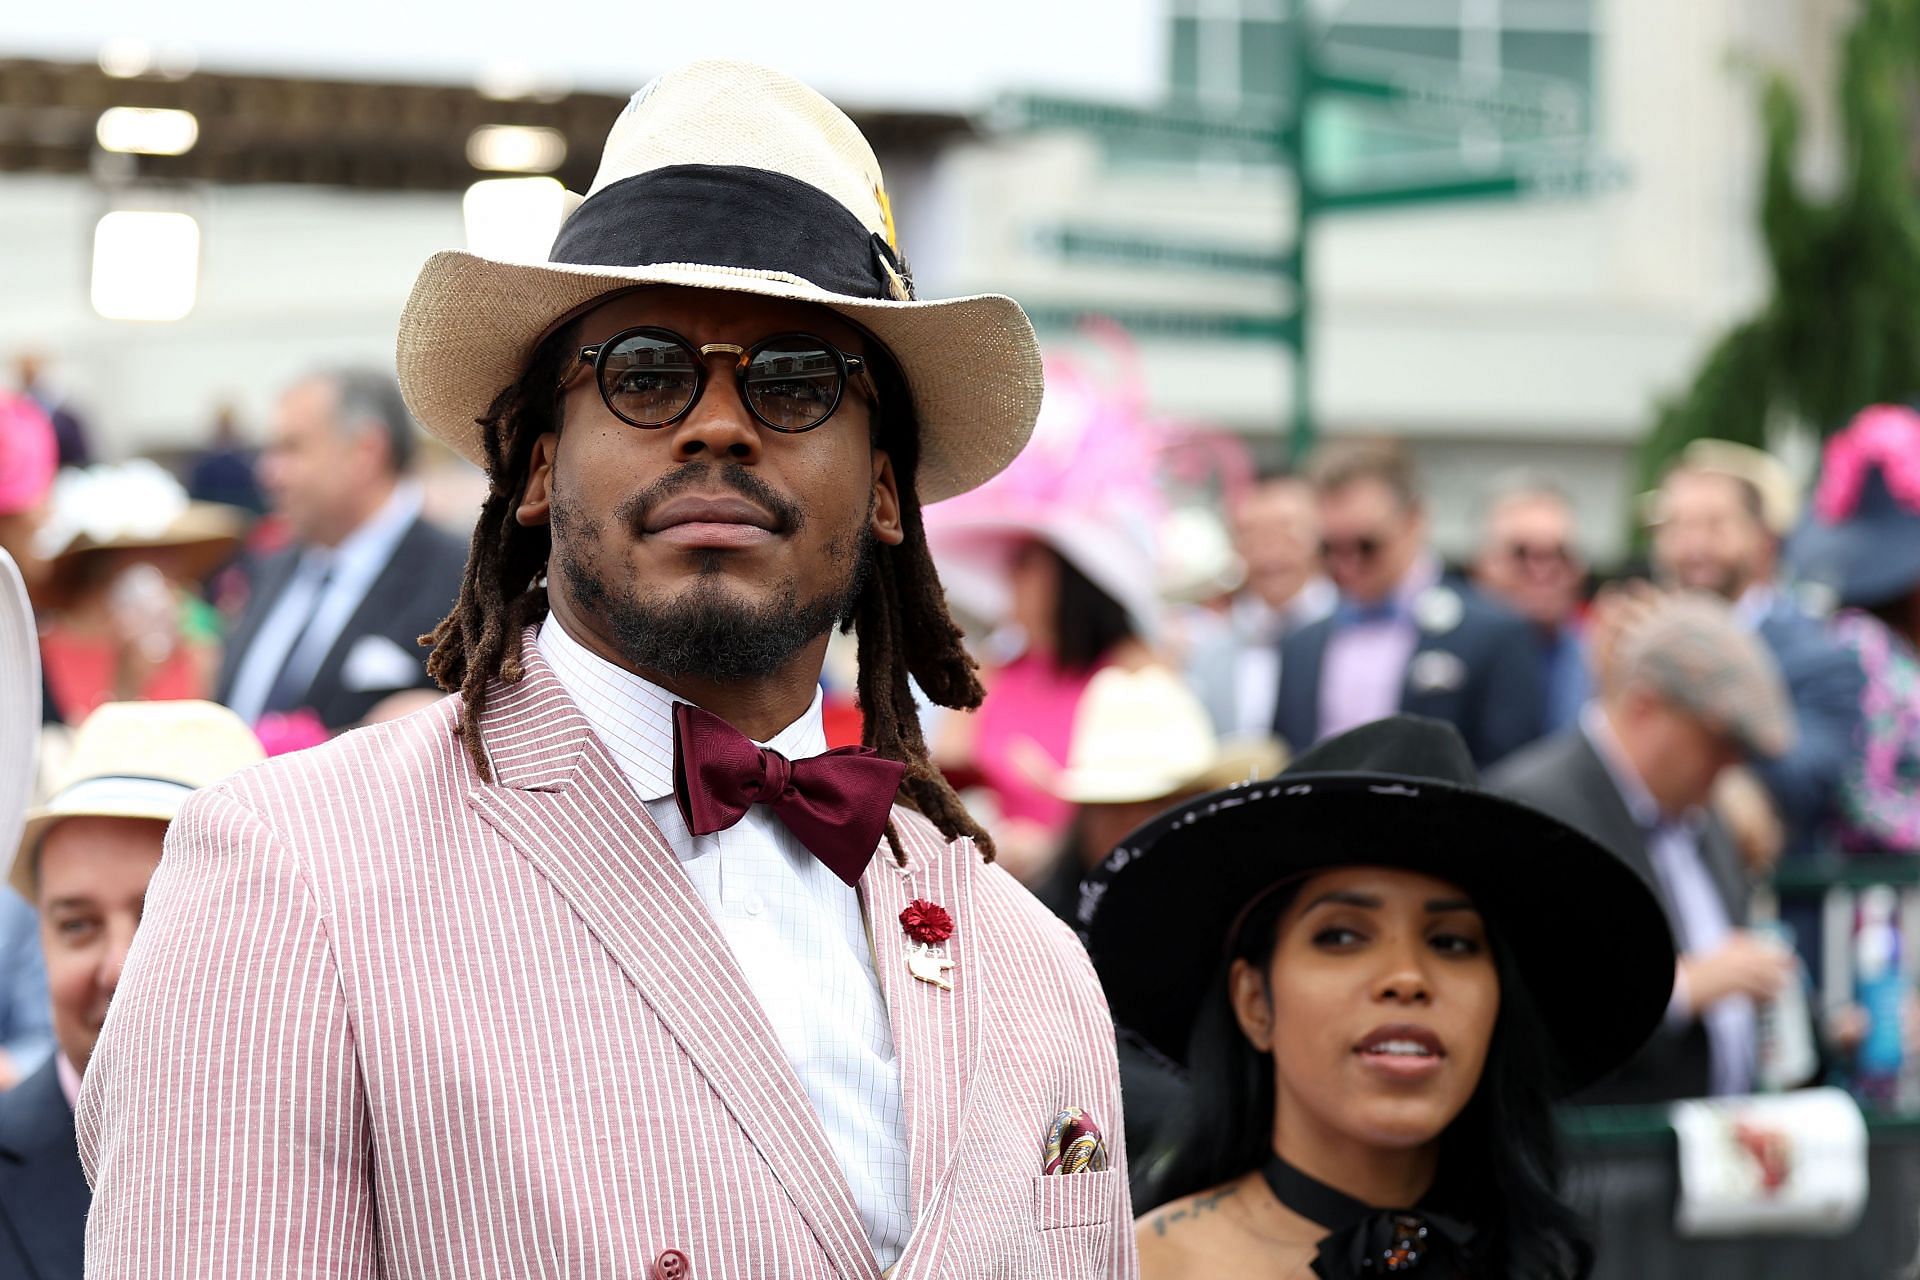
(732, 216)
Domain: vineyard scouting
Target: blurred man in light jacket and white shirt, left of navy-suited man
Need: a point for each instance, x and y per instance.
(1237, 671)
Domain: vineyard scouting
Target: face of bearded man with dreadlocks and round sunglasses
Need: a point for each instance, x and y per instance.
(717, 546)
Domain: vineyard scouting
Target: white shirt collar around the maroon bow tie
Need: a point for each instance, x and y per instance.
(635, 719)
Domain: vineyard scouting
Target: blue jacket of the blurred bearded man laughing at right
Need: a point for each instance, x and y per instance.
(1825, 684)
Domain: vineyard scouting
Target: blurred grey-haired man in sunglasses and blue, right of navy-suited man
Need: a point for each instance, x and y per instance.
(1531, 563)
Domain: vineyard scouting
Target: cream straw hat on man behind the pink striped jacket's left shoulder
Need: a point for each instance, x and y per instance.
(137, 761)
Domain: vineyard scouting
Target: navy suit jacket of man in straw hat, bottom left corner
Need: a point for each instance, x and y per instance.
(43, 1193)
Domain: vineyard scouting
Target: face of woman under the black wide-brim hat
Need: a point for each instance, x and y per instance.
(1378, 1007)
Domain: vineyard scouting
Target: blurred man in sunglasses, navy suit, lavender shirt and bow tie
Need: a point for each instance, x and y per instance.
(1404, 638)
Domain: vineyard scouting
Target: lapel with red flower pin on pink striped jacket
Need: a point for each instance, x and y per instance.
(936, 1033)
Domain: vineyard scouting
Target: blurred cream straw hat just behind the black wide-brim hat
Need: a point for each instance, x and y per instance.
(1143, 736)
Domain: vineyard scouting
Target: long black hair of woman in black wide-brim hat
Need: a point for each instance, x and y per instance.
(1499, 1160)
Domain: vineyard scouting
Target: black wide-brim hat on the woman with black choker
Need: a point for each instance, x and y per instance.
(1587, 932)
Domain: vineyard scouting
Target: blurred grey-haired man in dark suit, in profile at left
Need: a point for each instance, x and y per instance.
(333, 625)
